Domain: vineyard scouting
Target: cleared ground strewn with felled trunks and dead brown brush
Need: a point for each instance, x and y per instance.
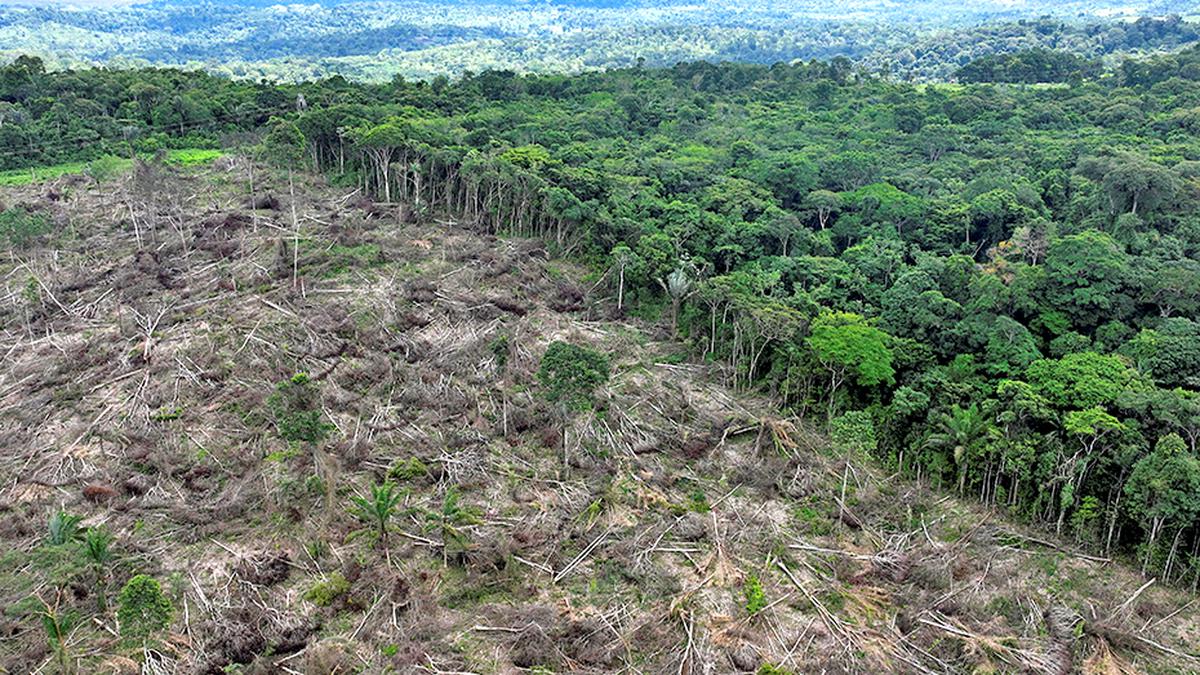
(143, 342)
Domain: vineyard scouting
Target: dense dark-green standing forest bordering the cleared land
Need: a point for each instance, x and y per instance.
(994, 289)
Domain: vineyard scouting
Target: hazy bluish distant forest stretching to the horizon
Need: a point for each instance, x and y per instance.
(923, 40)
